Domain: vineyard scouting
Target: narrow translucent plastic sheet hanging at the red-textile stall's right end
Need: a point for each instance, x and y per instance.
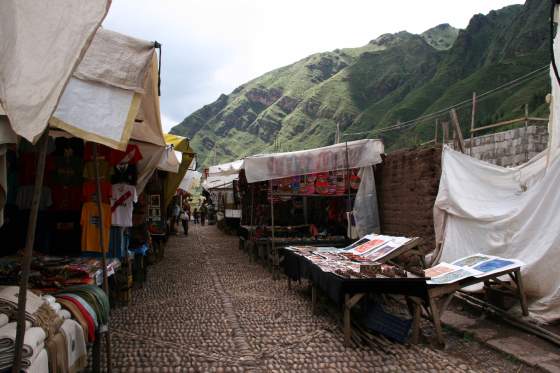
(366, 214)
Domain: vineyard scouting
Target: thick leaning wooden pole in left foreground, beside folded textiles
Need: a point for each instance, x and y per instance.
(28, 251)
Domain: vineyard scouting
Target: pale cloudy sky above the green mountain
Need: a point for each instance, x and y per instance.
(212, 46)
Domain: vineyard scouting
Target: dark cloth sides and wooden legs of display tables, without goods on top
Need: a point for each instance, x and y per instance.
(418, 293)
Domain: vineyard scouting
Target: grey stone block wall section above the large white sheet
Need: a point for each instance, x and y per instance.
(512, 147)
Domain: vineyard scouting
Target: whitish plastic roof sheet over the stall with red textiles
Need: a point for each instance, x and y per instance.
(360, 154)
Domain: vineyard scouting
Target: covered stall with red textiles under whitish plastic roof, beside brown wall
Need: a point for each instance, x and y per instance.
(323, 196)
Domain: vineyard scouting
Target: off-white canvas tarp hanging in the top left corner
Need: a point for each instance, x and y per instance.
(41, 43)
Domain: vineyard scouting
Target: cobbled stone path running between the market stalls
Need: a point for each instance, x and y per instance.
(207, 308)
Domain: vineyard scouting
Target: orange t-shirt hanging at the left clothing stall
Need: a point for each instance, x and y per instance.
(90, 226)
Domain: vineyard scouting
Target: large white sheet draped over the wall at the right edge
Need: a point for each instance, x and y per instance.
(507, 212)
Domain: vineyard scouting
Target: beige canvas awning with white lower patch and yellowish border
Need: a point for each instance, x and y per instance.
(103, 97)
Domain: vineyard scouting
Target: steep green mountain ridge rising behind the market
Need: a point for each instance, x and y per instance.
(396, 77)
